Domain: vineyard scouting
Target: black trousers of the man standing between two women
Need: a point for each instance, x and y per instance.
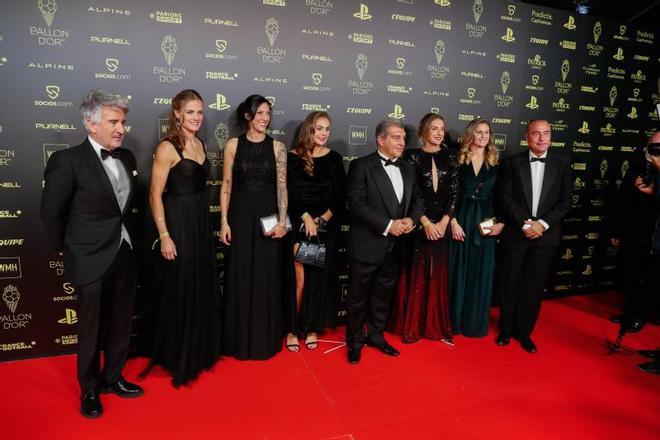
(371, 287)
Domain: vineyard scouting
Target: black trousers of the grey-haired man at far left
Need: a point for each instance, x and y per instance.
(104, 321)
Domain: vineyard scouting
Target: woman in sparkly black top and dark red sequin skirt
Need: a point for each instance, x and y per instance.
(422, 303)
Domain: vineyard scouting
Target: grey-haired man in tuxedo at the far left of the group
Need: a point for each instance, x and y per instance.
(88, 210)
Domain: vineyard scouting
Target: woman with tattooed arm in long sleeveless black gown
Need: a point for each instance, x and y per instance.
(253, 186)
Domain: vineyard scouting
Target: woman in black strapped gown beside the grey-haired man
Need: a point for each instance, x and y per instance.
(186, 313)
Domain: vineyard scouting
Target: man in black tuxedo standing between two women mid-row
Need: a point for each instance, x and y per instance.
(384, 204)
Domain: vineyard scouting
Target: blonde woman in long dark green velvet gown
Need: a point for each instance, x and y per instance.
(472, 252)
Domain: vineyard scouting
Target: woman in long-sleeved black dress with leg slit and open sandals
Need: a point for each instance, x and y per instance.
(315, 182)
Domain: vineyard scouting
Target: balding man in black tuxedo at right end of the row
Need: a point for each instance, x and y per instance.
(535, 195)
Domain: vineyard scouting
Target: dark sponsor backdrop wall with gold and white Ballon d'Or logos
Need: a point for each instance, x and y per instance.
(595, 79)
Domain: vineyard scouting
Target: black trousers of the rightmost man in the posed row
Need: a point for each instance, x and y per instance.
(523, 273)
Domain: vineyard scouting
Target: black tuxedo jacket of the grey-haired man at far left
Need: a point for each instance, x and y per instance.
(80, 211)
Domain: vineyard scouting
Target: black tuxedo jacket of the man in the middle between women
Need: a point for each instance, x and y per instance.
(372, 203)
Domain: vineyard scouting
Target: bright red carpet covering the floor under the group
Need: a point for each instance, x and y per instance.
(569, 389)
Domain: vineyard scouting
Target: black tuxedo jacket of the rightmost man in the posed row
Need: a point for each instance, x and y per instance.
(515, 197)
